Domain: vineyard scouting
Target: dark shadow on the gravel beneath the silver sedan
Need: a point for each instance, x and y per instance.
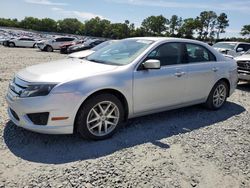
(59, 149)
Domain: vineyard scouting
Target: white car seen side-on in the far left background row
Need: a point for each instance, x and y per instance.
(22, 42)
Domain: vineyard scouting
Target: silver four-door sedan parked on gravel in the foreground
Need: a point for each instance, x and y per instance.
(126, 79)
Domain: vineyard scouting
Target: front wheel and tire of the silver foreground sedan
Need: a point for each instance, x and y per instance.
(96, 124)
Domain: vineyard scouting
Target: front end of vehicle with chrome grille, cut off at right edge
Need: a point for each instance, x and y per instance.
(243, 63)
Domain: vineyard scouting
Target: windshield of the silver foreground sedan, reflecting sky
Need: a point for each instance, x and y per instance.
(120, 53)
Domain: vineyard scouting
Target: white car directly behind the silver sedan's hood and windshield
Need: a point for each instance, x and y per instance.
(85, 53)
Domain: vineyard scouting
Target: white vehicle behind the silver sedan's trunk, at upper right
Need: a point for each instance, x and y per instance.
(232, 48)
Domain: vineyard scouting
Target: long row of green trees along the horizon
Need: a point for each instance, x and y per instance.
(207, 26)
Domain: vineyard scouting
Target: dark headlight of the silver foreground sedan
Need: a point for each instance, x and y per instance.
(37, 90)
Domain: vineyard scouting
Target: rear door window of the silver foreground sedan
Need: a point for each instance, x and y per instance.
(197, 53)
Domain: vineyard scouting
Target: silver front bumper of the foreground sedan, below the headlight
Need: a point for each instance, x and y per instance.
(58, 105)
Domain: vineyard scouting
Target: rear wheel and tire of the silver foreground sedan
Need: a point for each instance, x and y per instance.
(218, 95)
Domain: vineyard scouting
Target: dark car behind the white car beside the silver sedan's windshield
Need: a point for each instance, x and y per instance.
(85, 46)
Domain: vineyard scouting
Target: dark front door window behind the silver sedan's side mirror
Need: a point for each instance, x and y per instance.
(168, 54)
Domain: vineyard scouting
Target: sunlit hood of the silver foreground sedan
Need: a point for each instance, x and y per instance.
(62, 71)
